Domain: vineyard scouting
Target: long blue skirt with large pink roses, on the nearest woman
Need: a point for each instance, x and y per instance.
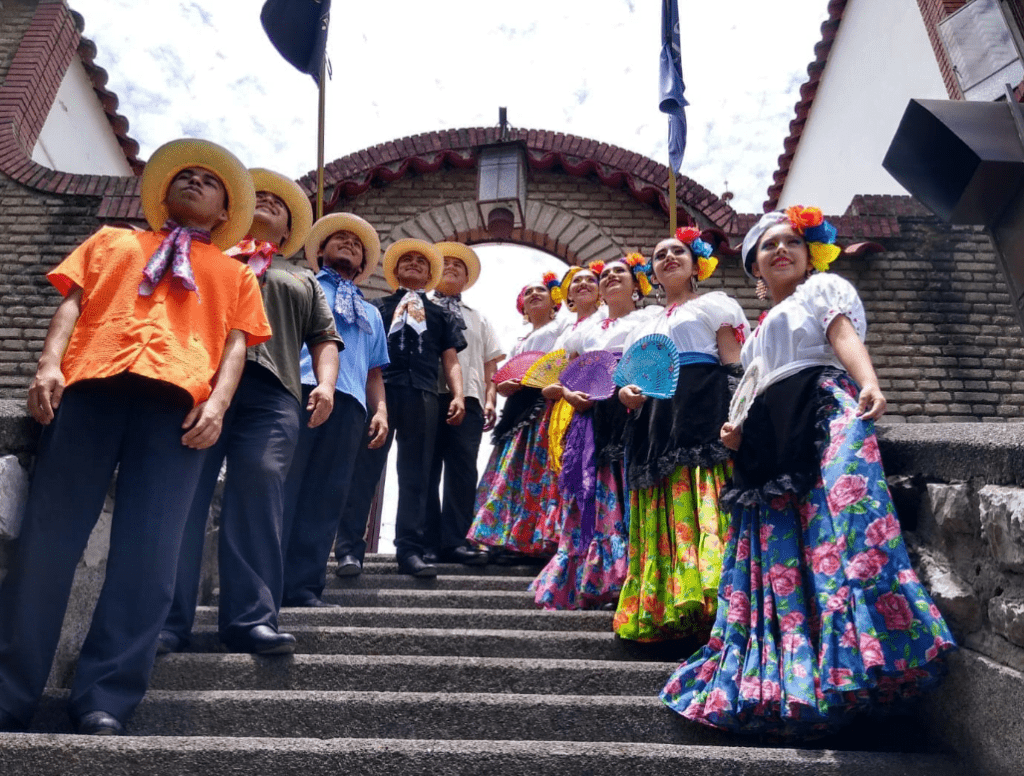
(821, 615)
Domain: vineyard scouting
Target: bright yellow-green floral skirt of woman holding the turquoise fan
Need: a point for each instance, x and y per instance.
(676, 543)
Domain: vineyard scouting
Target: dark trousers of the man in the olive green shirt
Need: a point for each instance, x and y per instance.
(260, 436)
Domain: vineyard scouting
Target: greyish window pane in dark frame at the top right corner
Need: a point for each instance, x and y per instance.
(985, 46)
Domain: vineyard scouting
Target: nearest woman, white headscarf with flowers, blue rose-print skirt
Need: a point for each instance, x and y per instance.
(821, 615)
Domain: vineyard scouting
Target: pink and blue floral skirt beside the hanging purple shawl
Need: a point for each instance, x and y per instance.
(587, 578)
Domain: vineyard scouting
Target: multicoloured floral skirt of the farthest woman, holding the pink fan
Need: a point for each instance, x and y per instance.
(518, 501)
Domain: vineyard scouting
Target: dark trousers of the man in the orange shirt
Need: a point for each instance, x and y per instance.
(101, 424)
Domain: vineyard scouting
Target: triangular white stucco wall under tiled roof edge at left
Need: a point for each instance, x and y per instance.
(77, 138)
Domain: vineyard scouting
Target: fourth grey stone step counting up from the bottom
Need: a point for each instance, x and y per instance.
(454, 642)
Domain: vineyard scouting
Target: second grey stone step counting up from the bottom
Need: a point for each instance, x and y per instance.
(401, 715)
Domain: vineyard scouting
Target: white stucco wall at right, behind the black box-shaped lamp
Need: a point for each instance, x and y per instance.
(880, 60)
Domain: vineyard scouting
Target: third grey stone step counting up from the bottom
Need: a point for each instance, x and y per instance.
(409, 674)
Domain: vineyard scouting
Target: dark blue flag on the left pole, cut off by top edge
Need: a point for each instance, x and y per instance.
(298, 30)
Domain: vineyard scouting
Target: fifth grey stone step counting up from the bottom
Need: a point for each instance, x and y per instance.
(374, 617)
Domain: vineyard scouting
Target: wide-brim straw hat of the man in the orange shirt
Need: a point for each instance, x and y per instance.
(173, 158)
